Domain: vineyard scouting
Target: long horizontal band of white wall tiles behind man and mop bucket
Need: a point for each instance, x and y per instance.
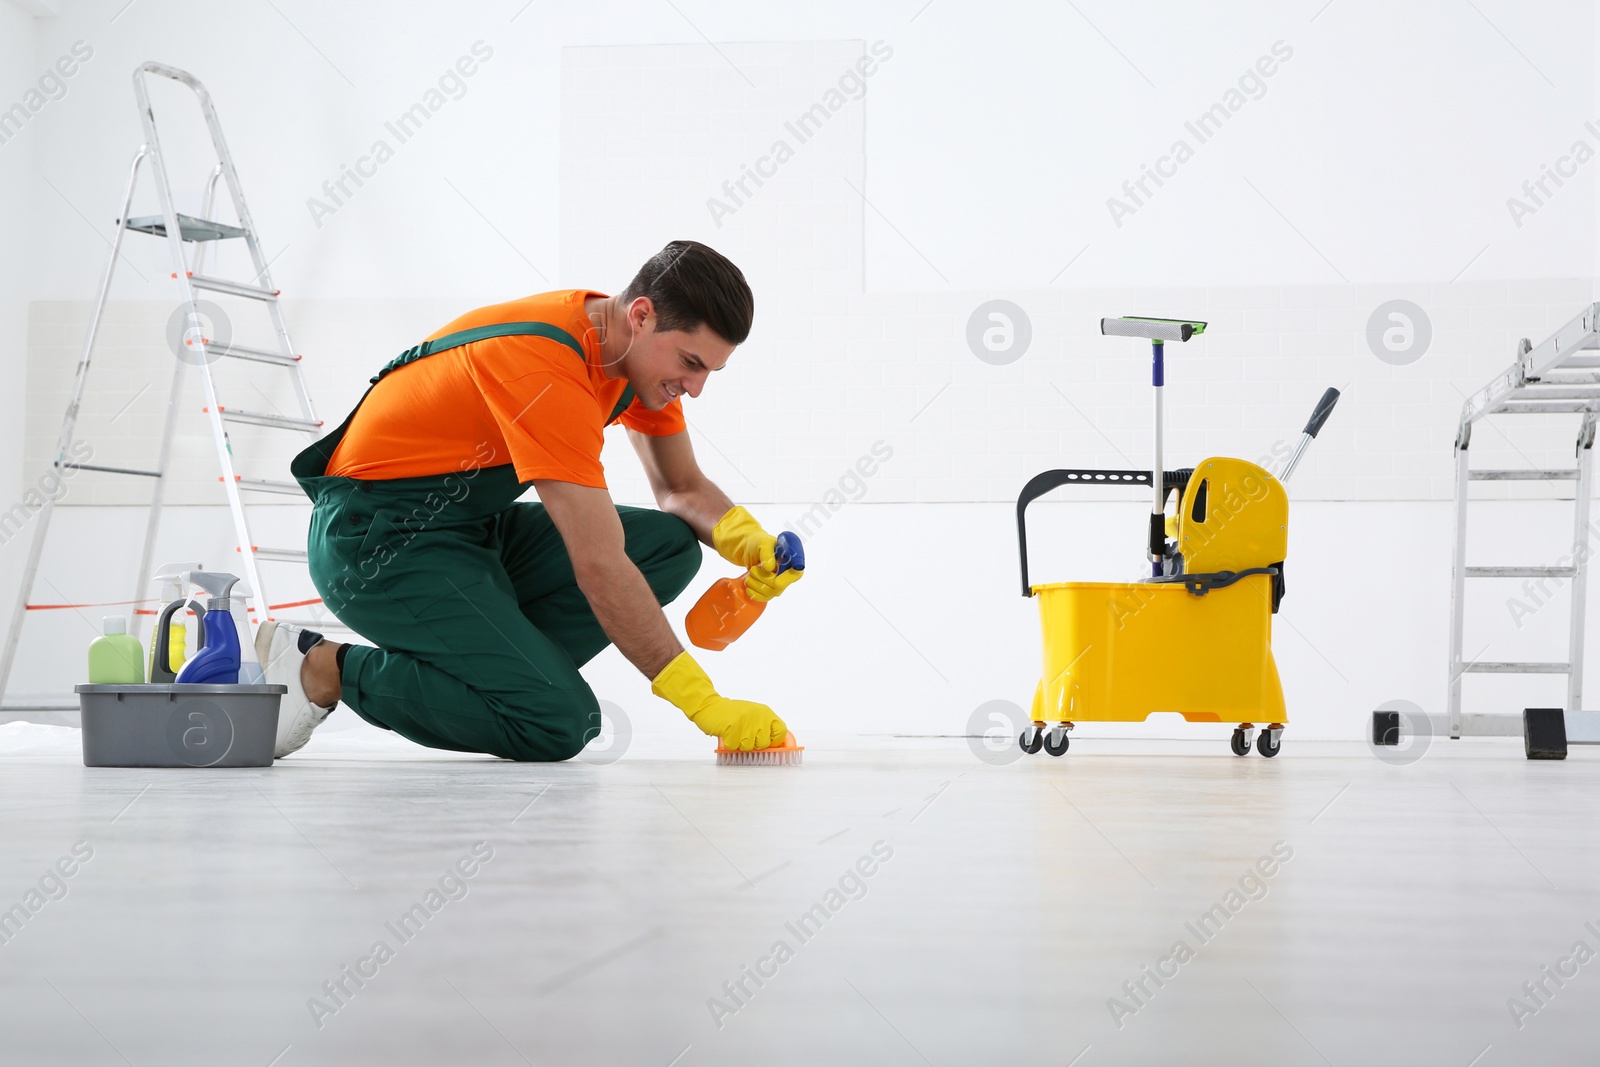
(826, 377)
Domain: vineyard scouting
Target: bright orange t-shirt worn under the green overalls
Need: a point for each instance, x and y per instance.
(526, 401)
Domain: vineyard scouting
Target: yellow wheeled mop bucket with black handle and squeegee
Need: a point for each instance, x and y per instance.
(1196, 637)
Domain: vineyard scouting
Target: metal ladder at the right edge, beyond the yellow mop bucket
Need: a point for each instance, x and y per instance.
(1559, 377)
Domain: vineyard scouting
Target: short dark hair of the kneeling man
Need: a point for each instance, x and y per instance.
(695, 286)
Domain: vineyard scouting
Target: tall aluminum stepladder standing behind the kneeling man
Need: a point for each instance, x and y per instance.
(180, 231)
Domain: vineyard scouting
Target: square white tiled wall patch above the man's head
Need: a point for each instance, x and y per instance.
(657, 142)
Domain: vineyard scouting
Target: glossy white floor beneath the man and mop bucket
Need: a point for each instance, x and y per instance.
(1006, 909)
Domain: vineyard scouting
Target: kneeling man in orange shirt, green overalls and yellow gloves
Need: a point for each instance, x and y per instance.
(484, 609)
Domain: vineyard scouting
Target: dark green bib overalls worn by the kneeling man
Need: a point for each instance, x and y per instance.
(470, 596)
